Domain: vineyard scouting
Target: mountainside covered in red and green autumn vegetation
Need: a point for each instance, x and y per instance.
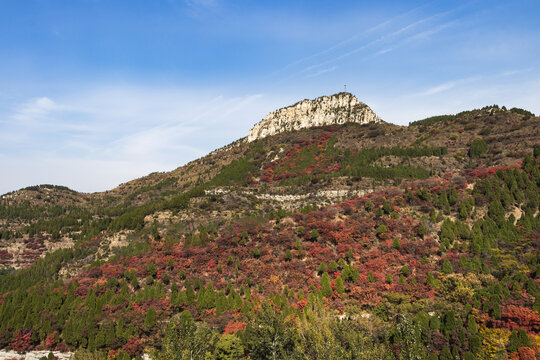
(343, 241)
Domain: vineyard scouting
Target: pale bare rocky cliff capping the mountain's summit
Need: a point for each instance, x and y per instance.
(326, 110)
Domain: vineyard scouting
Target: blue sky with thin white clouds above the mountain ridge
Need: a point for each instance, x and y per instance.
(94, 93)
